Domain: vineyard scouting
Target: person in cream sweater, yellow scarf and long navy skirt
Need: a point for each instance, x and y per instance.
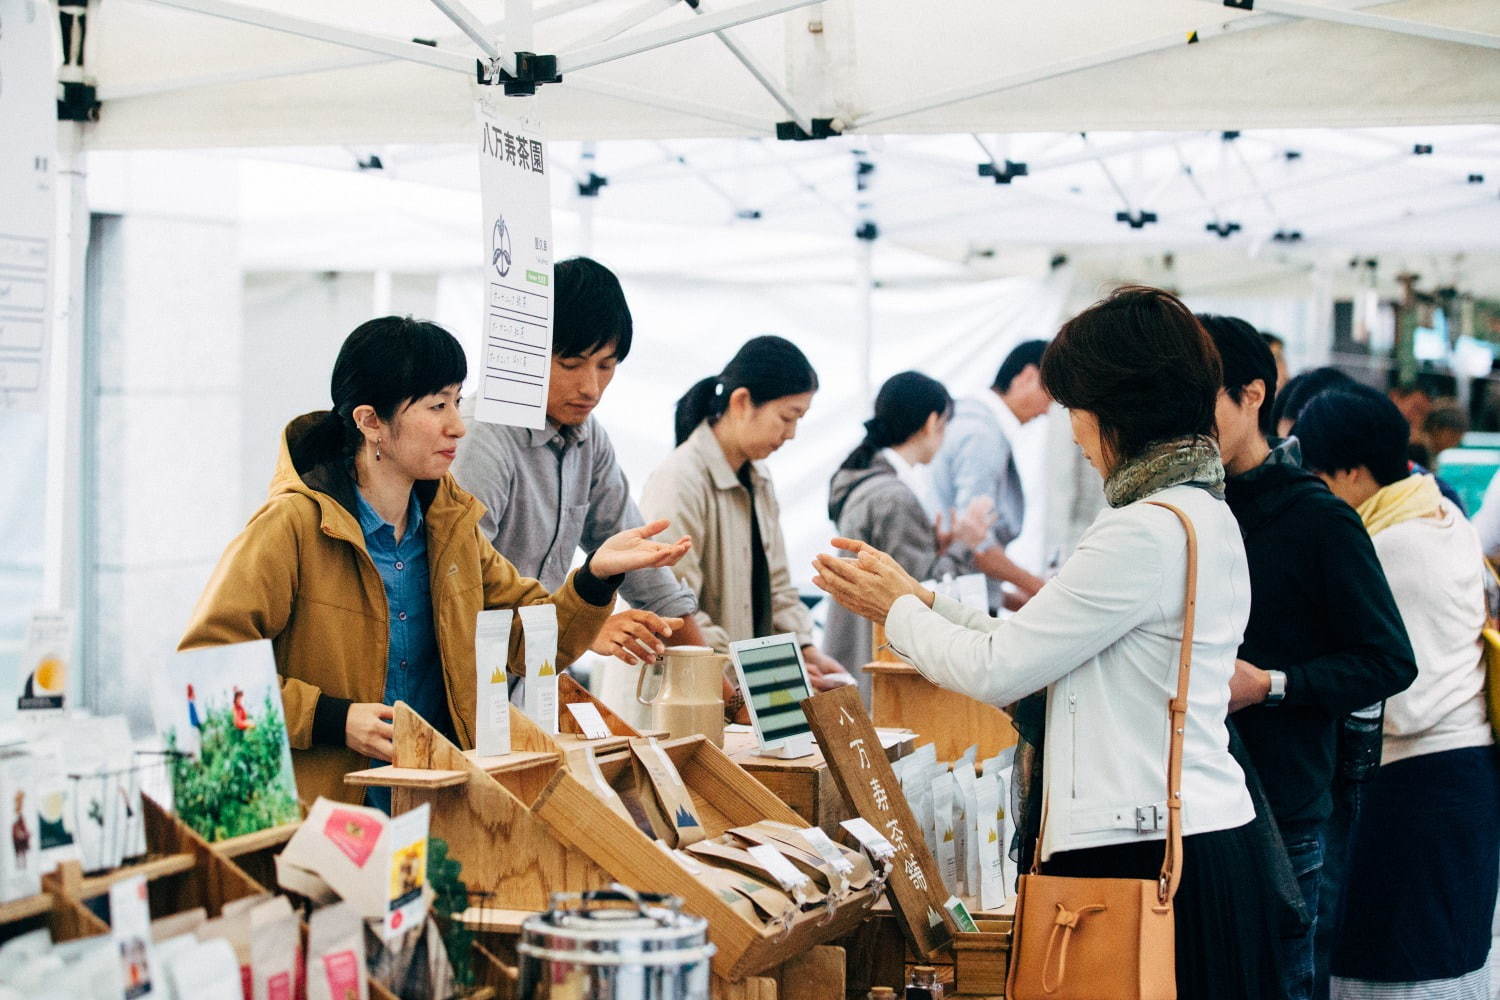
(1424, 855)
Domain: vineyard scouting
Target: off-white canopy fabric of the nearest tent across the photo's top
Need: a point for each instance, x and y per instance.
(179, 79)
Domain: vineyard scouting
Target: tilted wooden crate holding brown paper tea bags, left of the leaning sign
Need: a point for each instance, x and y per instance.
(725, 797)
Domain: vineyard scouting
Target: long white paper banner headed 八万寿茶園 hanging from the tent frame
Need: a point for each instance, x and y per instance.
(517, 359)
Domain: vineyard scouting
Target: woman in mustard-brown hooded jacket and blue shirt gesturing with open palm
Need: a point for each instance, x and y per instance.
(367, 564)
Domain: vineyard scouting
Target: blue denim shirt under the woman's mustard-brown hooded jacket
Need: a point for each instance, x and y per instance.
(413, 666)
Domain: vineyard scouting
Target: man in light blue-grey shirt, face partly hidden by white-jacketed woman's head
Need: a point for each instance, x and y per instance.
(977, 461)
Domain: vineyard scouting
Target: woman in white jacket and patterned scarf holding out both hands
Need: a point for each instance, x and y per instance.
(1141, 380)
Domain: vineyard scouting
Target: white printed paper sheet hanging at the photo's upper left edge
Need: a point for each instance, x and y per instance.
(29, 125)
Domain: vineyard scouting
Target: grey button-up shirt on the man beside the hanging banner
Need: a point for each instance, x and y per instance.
(551, 493)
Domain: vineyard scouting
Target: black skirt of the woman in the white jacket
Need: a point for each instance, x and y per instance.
(1225, 914)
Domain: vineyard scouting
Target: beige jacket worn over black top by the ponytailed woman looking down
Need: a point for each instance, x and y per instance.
(703, 497)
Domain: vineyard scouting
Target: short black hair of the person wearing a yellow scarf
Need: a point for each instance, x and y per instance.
(1351, 428)
